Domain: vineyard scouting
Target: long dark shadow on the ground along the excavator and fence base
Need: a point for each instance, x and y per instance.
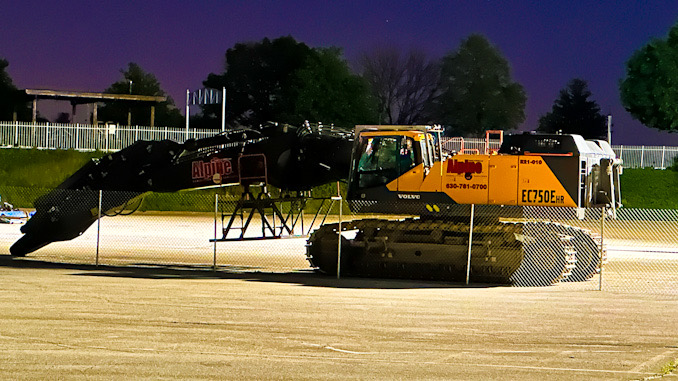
(301, 277)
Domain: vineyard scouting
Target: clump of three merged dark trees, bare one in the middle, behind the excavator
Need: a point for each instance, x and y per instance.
(469, 90)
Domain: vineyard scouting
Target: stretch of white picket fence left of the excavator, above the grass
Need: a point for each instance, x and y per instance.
(86, 137)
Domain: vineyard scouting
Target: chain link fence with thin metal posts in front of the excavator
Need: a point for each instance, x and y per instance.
(626, 251)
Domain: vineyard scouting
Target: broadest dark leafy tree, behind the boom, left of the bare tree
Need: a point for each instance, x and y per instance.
(286, 81)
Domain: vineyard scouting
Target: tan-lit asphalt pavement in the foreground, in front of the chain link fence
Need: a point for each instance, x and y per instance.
(83, 322)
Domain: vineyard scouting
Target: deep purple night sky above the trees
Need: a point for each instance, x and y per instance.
(82, 45)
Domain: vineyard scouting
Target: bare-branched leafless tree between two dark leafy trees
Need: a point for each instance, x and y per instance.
(404, 85)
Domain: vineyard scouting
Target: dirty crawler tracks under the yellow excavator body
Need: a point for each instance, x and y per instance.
(524, 253)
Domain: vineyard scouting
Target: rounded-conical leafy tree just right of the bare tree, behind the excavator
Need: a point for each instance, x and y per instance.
(477, 92)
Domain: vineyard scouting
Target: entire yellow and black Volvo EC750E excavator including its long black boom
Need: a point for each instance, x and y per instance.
(393, 170)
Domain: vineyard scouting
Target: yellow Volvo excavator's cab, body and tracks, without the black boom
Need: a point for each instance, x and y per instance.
(404, 170)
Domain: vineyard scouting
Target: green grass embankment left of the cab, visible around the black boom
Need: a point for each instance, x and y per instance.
(27, 174)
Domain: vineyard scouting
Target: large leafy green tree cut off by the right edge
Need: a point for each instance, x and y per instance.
(650, 89)
